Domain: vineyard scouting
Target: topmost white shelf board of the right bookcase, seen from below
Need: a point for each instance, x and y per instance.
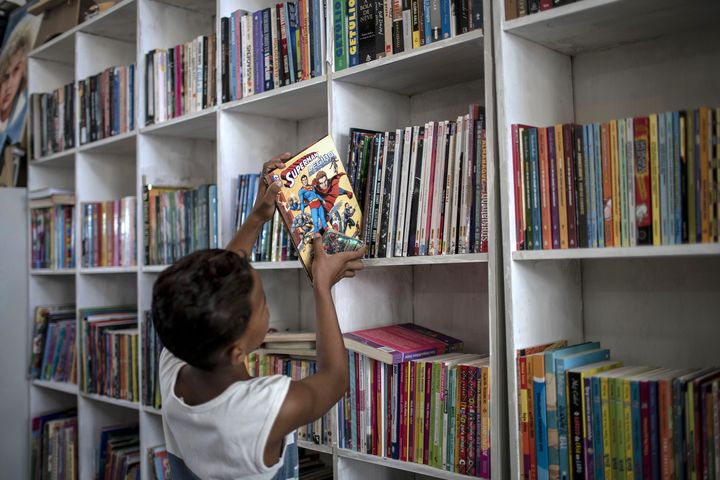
(597, 24)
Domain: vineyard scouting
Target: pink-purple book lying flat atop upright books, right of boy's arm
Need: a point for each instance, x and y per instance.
(400, 343)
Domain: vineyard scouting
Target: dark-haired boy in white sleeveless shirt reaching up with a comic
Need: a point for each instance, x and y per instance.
(210, 312)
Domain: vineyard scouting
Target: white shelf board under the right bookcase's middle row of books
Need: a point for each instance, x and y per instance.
(665, 251)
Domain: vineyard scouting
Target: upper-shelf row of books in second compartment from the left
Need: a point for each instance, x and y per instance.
(107, 103)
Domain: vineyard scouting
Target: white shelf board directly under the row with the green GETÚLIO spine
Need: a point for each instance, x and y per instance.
(440, 64)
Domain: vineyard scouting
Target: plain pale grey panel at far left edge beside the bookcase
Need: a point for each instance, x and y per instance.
(13, 334)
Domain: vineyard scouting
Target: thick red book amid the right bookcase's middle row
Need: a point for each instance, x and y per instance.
(643, 203)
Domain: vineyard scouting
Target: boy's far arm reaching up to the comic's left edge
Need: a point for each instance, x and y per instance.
(263, 209)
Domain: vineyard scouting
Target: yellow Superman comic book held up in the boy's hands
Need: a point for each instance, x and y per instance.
(316, 195)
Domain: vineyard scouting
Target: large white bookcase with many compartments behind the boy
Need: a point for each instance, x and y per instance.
(460, 295)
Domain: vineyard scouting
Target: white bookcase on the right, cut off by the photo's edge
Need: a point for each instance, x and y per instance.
(593, 61)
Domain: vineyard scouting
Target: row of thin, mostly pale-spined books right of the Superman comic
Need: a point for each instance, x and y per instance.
(423, 188)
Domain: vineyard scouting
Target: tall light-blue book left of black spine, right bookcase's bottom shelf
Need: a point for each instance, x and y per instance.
(562, 364)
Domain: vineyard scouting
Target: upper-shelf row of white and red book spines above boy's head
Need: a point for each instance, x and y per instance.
(180, 80)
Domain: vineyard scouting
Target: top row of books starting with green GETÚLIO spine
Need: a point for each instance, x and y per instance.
(365, 30)
